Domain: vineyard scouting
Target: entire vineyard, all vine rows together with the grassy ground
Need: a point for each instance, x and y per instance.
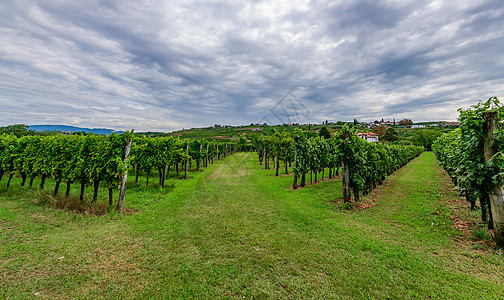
(278, 215)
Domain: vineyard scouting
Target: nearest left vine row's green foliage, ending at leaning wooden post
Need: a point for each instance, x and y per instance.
(84, 158)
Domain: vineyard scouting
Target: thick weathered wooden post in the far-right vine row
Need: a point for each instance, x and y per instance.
(496, 194)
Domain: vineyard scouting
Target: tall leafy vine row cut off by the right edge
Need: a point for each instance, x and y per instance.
(473, 157)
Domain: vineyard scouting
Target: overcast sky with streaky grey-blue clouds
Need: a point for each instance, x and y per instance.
(166, 65)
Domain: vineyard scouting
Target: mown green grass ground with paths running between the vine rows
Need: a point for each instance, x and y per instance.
(236, 231)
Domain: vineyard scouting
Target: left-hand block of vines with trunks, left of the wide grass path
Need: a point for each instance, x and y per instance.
(94, 160)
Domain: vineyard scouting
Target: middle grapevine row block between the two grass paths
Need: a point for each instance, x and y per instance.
(367, 163)
